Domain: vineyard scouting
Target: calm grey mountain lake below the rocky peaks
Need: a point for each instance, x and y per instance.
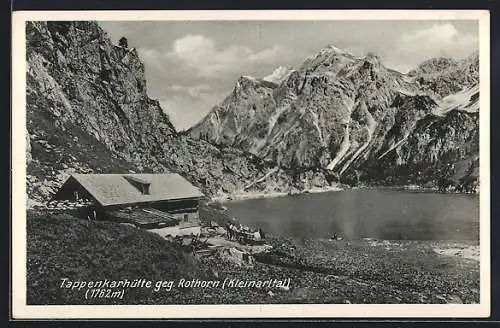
(364, 213)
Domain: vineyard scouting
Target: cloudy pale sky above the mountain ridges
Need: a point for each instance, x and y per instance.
(192, 66)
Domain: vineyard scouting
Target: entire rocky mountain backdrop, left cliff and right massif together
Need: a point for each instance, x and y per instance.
(335, 118)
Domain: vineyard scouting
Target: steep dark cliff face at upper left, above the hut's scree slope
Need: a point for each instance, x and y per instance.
(77, 75)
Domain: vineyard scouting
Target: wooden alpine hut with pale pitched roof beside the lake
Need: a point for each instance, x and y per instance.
(145, 200)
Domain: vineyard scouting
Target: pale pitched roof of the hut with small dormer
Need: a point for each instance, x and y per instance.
(115, 189)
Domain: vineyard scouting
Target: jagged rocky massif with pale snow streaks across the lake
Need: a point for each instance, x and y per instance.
(354, 120)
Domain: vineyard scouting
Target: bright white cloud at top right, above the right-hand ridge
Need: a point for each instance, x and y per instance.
(438, 40)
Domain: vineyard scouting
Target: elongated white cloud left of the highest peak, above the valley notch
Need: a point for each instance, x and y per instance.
(201, 55)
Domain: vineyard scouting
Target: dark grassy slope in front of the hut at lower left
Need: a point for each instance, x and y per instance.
(61, 246)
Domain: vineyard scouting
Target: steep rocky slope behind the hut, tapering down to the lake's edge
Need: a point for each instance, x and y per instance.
(88, 111)
